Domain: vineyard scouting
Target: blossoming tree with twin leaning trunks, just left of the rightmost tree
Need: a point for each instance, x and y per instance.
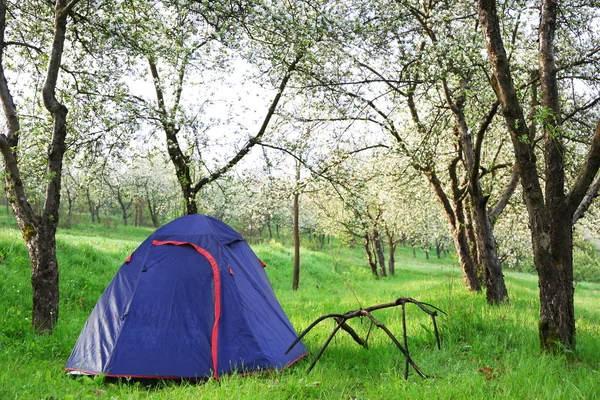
(404, 62)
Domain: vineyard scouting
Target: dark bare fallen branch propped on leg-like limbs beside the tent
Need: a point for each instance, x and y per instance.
(341, 319)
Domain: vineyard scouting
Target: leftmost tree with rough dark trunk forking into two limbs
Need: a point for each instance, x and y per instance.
(39, 230)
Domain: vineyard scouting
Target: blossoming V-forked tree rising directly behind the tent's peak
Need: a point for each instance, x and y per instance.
(199, 42)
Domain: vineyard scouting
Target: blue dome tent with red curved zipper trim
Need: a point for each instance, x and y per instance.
(192, 301)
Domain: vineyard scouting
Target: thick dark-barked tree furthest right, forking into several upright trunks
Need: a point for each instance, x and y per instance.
(551, 208)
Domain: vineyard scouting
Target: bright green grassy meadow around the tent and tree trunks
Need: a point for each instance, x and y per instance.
(487, 352)
